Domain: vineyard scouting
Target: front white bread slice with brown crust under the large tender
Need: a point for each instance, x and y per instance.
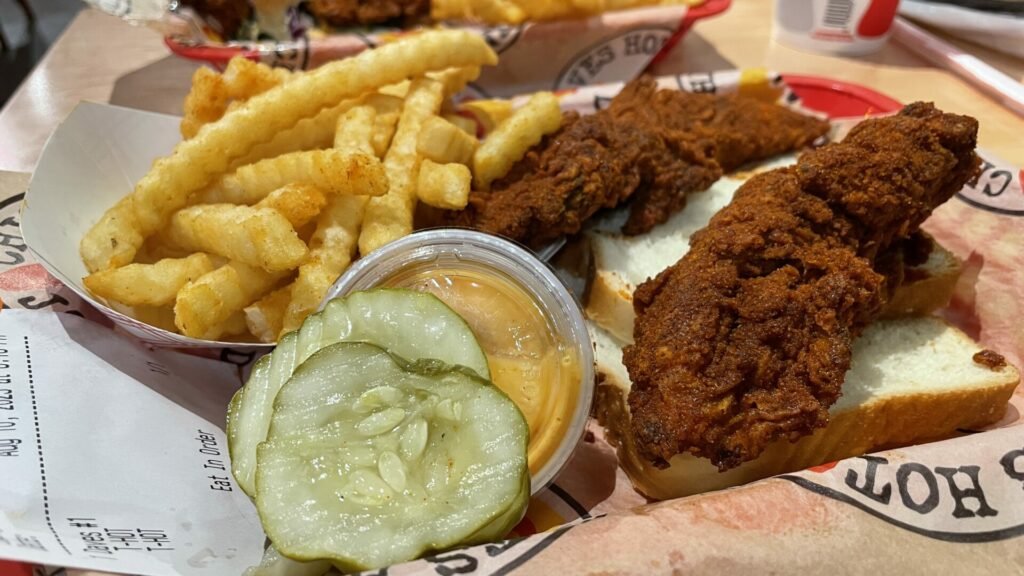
(912, 381)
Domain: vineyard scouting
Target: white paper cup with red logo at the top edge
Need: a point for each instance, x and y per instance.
(835, 27)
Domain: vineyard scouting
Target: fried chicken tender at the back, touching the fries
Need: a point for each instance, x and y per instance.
(651, 147)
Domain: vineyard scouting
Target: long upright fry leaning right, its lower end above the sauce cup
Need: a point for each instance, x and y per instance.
(391, 217)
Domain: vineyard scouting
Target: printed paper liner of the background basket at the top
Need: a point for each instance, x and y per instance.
(550, 56)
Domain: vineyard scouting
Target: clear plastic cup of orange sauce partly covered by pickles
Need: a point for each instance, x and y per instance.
(529, 324)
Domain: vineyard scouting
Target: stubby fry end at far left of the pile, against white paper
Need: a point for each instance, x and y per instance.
(112, 242)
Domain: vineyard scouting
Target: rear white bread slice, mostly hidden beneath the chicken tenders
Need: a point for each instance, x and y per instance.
(620, 264)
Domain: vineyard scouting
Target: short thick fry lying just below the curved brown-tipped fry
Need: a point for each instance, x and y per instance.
(259, 237)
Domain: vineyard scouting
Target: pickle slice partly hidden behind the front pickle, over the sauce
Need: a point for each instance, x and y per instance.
(410, 324)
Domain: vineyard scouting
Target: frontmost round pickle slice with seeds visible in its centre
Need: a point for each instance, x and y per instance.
(373, 461)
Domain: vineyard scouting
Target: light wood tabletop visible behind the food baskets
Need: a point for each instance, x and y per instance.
(103, 59)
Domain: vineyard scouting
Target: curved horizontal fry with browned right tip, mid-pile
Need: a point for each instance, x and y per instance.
(333, 172)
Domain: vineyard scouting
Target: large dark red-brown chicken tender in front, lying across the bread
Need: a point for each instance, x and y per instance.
(748, 339)
